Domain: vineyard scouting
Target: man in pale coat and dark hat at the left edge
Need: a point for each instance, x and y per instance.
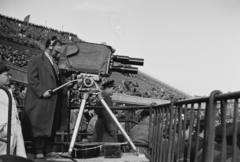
(17, 142)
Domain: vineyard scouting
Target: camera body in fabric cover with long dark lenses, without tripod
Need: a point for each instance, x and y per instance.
(96, 59)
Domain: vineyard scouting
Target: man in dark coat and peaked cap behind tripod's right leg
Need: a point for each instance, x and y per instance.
(105, 128)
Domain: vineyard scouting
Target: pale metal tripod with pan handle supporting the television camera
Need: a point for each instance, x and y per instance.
(91, 87)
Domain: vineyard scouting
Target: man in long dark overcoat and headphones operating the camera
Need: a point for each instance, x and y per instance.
(43, 109)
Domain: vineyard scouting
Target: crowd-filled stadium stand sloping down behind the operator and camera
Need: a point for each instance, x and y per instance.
(17, 53)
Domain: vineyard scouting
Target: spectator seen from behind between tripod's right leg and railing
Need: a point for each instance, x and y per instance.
(140, 133)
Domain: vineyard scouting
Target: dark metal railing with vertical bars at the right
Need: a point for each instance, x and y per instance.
(173, 138)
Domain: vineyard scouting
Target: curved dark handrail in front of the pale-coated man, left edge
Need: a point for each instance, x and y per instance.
(8, 141)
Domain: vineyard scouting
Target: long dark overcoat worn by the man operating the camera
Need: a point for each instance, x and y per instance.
(39, 112)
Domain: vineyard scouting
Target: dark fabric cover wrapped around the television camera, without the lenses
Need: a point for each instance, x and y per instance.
(86, 57)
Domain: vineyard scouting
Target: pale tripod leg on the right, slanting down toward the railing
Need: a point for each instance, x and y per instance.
(117, 123)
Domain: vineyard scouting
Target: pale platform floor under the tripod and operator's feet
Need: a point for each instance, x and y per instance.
(126, 157)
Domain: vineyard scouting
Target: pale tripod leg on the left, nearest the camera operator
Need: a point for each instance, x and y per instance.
(75, 132)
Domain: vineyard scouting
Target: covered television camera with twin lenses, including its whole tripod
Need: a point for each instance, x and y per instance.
(92, 61)
